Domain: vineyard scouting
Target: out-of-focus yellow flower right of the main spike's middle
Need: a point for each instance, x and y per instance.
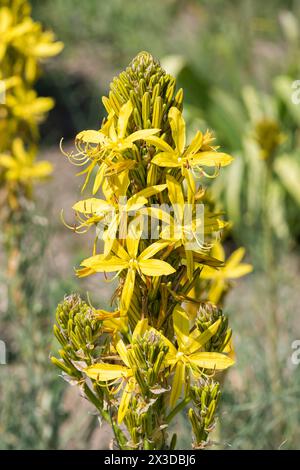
(233, 269)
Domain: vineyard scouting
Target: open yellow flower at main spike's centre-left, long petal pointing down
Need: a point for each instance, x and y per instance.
(144, 264)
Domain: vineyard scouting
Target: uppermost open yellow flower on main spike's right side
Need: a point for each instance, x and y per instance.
(192, 157)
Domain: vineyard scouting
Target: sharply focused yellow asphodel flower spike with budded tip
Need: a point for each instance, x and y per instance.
(151, 350)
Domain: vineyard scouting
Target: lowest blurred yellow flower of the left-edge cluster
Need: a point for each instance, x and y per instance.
(21, 165)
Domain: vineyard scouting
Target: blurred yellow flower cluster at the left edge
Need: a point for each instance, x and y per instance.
(23, 45)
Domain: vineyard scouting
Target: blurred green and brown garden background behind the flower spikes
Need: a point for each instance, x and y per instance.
(237, 61)
